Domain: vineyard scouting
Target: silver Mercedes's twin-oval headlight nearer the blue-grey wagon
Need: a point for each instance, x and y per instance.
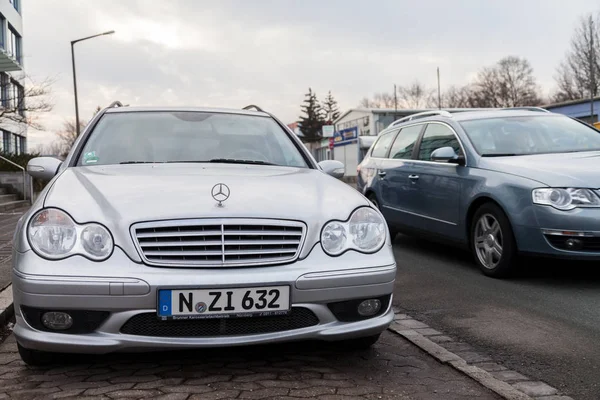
(364, 231)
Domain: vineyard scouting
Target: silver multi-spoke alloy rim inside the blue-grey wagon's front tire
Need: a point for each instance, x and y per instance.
(488, 241)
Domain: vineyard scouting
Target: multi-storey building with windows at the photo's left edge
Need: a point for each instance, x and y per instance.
(13, 135)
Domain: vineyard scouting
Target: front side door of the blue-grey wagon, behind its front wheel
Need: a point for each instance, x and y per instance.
(438, 184)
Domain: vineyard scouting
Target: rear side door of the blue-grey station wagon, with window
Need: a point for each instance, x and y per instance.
(397, 178)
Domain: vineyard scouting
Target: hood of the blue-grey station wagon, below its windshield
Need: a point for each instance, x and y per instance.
(556, 170)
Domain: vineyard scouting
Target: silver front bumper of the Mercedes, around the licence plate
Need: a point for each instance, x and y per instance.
(125, 289)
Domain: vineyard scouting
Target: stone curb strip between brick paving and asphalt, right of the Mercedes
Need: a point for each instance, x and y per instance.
(508, 384)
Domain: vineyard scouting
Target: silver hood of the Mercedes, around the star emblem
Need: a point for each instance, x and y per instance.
(121, 195)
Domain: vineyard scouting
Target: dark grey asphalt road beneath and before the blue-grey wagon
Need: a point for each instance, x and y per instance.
(544, 322)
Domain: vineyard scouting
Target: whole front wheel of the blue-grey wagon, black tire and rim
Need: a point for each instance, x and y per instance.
(493, 242)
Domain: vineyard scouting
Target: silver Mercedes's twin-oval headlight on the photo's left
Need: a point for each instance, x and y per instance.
(53, 234)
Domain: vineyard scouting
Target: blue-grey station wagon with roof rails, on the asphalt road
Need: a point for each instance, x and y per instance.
(500, 182)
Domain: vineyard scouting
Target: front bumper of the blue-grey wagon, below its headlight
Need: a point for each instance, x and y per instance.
(531, 237)
